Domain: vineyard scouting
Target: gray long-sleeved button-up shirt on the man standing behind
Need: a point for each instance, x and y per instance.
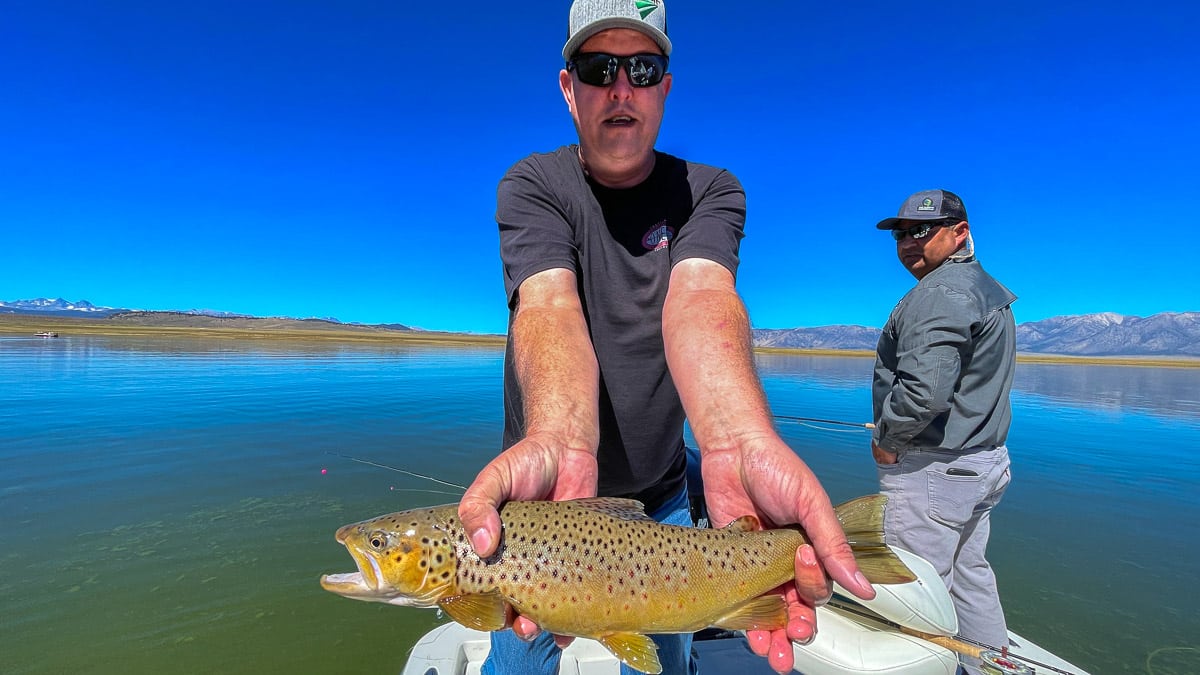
(945, 363)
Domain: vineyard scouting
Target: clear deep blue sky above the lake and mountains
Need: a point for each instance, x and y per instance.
(341, 159)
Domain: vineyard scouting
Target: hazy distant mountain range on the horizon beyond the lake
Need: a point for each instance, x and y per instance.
(1168, 334)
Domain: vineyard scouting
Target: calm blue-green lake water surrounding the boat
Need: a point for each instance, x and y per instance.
(170, 505)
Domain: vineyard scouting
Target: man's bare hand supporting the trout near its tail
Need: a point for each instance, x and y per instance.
(766, 479)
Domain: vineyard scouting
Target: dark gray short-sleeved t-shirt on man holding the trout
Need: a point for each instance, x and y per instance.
(622, 246)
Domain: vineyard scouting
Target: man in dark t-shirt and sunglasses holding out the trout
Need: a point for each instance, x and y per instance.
(620, 268)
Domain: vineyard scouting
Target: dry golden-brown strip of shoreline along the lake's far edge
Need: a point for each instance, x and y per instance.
(289, 330)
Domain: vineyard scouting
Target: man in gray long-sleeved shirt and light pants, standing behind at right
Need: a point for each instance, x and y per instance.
(944, 371)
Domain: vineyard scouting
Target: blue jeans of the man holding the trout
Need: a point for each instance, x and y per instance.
(513, 656)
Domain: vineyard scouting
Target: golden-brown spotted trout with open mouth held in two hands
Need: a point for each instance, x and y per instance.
(596, 569)
